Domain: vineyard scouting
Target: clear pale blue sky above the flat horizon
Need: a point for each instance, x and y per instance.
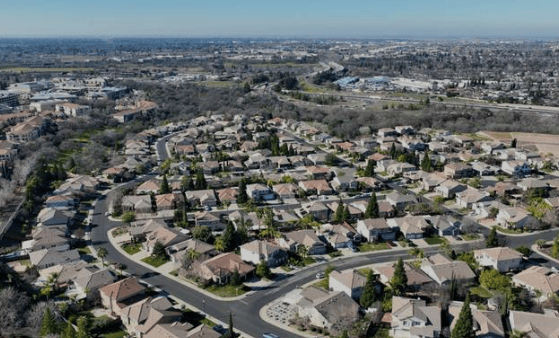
(284, 18)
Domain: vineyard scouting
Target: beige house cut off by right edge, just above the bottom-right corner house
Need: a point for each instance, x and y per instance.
(538, 279)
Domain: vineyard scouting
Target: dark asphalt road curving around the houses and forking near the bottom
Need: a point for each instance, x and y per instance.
(246, 311)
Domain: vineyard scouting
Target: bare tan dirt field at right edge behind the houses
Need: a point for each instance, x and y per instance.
(545, 143)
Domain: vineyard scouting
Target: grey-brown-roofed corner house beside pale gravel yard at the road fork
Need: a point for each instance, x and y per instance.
(332, 310)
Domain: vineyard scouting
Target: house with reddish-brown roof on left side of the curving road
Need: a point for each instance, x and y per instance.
(117, 296)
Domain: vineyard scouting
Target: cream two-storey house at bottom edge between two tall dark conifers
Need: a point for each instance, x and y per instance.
(412, 318)
